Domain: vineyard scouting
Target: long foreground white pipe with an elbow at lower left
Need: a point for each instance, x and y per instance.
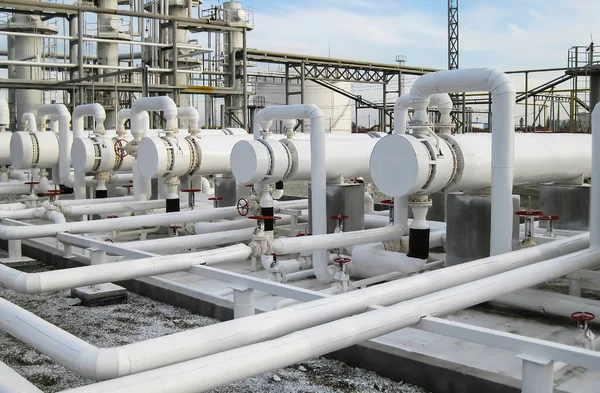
(146, 355)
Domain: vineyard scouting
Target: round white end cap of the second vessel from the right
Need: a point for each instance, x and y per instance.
(250, 161)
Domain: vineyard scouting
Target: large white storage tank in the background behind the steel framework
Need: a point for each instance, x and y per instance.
(336, 108)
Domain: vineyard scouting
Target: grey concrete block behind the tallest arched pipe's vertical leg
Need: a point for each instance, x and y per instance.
(468, 227)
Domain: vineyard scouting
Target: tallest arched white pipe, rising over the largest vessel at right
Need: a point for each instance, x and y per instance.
(502, 90)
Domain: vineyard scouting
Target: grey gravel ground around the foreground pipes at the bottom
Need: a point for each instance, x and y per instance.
(141, 318)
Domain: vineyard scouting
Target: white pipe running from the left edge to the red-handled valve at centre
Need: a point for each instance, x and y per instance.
(56, 280)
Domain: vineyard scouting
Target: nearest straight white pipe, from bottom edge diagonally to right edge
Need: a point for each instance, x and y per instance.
(220, 369)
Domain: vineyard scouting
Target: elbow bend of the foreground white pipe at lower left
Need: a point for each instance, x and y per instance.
(102, 364)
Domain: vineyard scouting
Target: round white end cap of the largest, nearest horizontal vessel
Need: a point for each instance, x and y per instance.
(399, 165)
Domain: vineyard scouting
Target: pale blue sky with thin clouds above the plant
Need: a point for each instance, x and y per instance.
(504, 34)
